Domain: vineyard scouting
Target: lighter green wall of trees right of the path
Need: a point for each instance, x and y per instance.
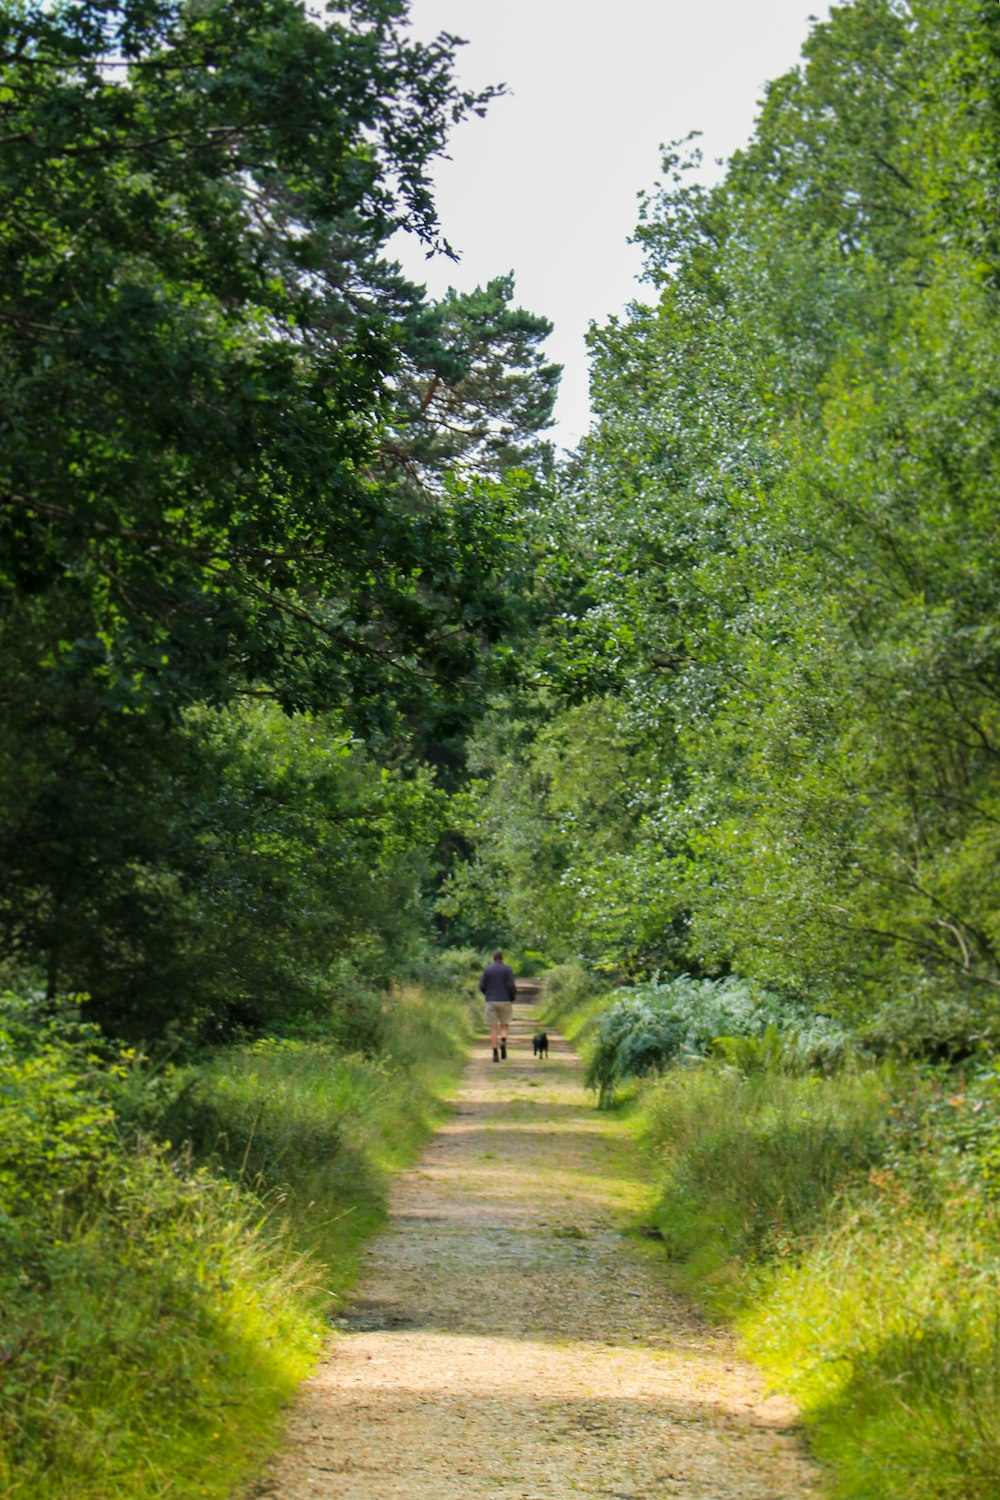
(771, 739)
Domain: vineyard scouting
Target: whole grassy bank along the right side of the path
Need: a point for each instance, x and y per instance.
(849, 1225)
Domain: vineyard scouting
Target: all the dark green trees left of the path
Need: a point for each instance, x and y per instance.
(244, 463)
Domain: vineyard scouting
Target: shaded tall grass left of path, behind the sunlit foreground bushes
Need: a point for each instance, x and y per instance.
(319, 1130)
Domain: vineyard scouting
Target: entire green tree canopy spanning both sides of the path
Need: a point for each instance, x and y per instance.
(719, 694)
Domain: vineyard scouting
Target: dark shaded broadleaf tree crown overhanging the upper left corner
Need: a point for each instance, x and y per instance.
(199, 340)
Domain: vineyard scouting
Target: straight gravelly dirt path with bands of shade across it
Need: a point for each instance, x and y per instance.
(506, 1340)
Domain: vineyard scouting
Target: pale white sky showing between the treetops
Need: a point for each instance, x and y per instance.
(548, 184)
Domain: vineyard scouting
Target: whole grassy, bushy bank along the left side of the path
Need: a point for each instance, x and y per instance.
(160, 1303)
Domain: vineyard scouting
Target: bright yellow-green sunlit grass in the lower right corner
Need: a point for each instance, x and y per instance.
(888, 1336)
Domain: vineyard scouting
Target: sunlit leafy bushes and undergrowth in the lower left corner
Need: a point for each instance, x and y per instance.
(131, 1288)
